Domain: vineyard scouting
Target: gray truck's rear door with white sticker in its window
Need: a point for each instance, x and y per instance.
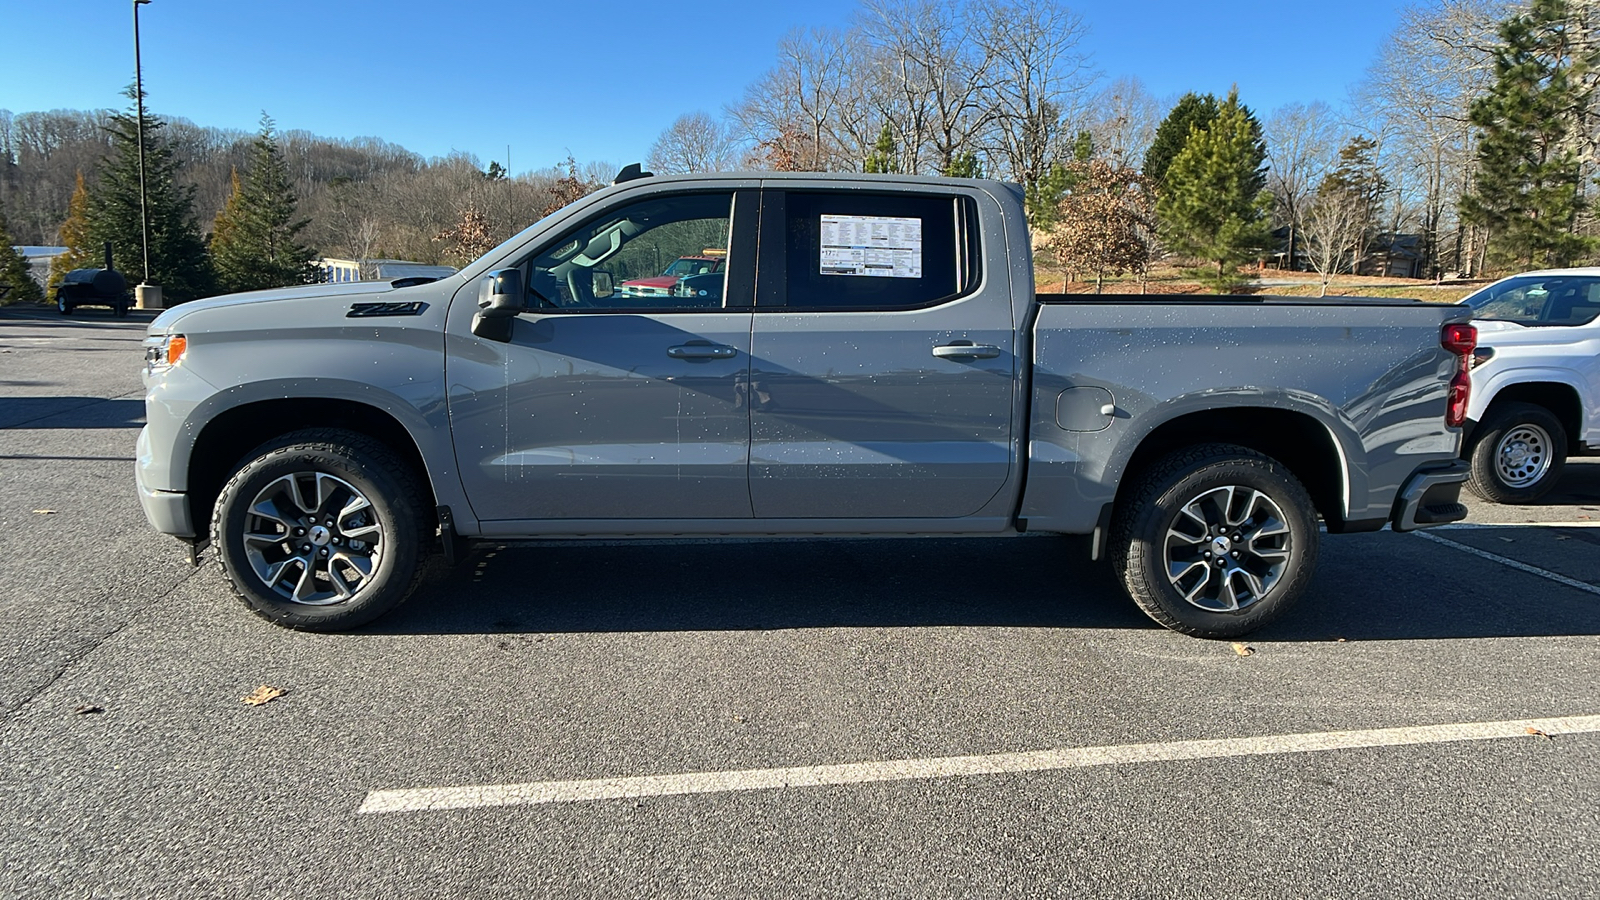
(884, 358)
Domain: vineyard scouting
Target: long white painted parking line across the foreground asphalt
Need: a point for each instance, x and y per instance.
(426, 800)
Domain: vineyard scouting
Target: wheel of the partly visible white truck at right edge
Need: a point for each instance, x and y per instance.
(1518, 454)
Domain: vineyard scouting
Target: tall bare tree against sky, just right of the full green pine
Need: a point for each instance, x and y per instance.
(1302, 147)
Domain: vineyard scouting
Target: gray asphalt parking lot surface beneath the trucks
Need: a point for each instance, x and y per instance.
(914, 718)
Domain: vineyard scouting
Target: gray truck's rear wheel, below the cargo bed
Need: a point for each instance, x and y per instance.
(1145, 544)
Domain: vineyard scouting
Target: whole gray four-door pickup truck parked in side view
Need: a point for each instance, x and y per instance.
(871, 360)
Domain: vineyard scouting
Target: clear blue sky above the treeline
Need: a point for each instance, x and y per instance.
(596, 79)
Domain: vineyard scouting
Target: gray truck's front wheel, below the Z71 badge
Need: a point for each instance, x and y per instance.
(366, 468)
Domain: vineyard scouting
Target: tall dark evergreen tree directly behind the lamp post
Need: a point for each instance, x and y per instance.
(178, 259)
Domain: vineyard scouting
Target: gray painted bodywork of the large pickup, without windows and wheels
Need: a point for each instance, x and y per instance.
(585, 424)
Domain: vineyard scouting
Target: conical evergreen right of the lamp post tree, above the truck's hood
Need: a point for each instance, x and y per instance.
(257, 238)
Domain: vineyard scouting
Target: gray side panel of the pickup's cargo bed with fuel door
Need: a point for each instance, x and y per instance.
(1361, 379)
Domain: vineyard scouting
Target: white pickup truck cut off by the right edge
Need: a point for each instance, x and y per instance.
(1535, 382)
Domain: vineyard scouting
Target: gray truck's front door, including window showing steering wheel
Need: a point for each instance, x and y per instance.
(622, 390)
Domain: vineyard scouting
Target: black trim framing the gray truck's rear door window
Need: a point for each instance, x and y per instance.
(772, 284)
